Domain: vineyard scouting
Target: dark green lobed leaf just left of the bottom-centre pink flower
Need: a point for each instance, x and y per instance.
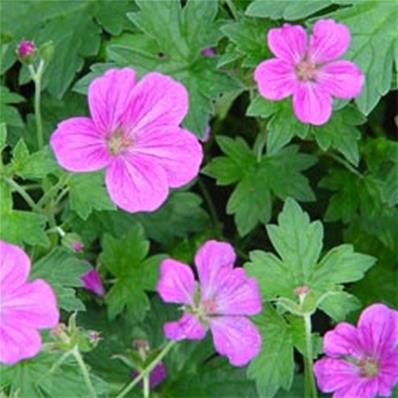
(126, 260)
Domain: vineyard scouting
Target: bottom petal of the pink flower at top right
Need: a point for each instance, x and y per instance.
(312, 104)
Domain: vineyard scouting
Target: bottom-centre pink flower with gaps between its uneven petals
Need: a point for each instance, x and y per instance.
(220, 302)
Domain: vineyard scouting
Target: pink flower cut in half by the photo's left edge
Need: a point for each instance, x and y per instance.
(24, 306)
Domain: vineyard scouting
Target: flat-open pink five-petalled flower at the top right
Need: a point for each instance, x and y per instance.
(308, 70)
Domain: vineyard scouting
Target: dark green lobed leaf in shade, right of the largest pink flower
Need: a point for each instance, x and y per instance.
(259, 179)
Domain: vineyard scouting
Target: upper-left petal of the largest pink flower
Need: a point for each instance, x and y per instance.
(109, 97)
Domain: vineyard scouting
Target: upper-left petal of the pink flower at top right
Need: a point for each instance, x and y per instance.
(288, 43)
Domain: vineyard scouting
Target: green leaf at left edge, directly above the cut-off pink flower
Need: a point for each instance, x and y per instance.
(19, 226)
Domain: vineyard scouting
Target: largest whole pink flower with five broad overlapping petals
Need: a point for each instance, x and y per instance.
(134, 133)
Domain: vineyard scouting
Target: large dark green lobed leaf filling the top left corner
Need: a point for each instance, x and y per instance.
(70, 25)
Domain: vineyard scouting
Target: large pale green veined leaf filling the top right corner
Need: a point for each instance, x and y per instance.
(374, 33)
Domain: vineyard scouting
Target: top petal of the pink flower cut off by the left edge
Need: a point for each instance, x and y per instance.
(14, 267)
